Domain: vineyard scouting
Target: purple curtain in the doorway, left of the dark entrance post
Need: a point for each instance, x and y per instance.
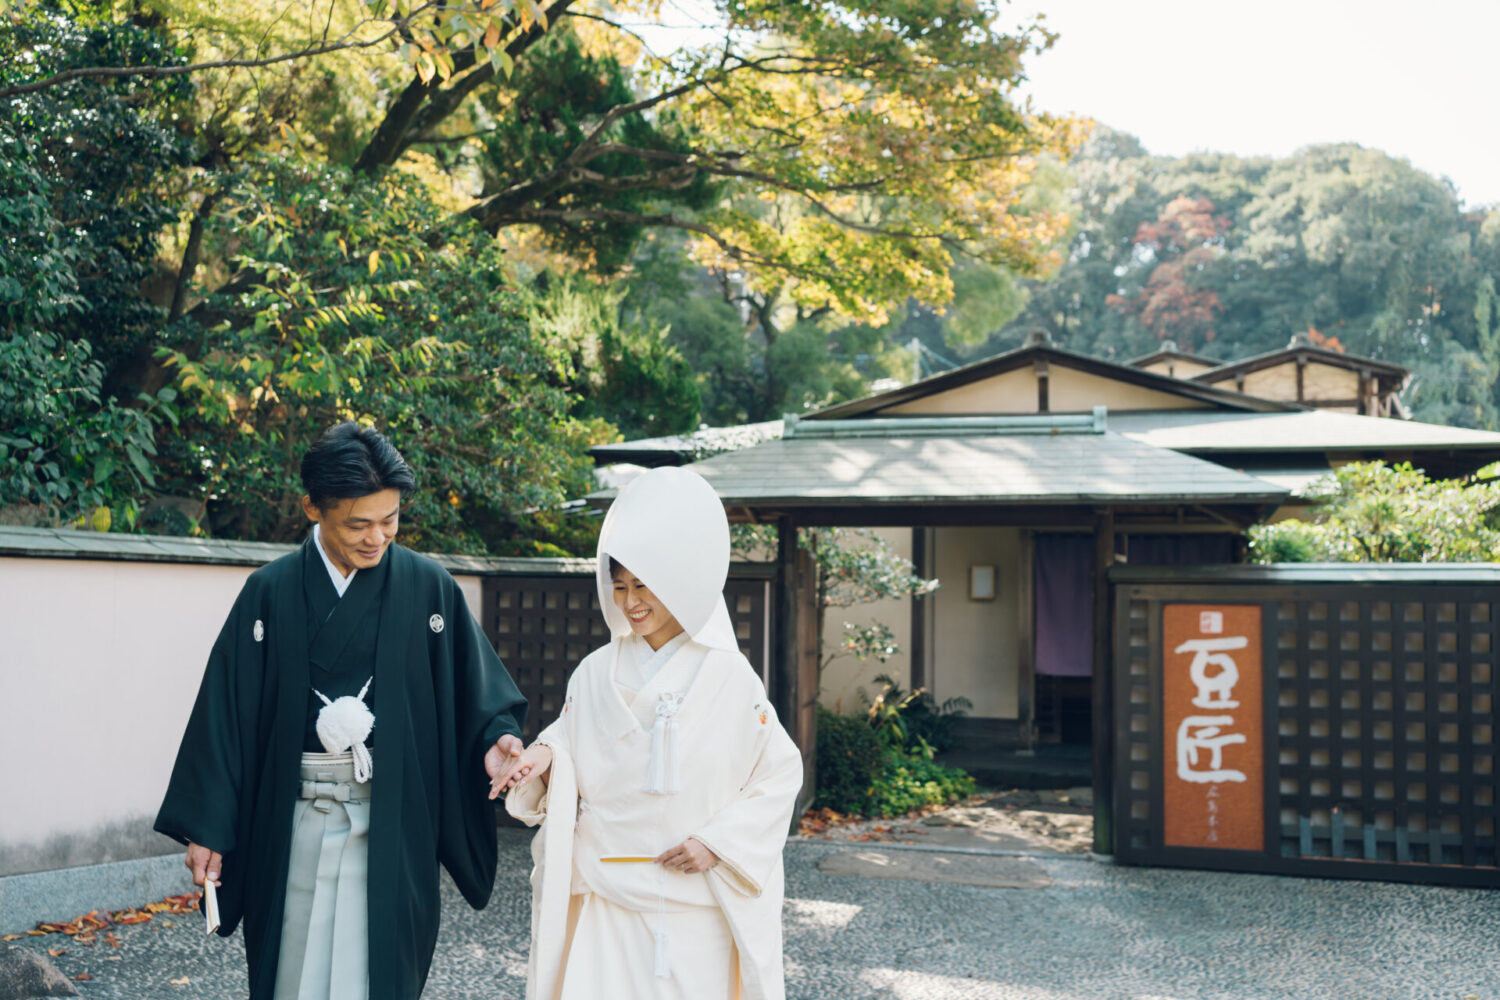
(1066, 606)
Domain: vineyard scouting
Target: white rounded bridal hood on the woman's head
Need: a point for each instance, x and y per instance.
(668, 527)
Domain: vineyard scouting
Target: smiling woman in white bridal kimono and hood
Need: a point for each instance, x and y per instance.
(667, 786)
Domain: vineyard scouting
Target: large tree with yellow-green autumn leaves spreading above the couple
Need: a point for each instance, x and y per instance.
(886, 136)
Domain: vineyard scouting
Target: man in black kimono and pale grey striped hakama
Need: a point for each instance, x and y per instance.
(353, 620)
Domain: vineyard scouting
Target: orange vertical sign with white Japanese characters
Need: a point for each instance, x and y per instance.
(1213, 774)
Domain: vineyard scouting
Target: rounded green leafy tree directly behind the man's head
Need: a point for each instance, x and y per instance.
(355, 316)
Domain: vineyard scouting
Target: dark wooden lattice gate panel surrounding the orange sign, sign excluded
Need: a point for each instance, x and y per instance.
(1381, 731)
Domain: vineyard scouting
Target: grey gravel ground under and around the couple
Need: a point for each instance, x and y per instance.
(1097, 933)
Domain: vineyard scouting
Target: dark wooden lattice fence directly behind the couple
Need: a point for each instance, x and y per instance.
(544, 626)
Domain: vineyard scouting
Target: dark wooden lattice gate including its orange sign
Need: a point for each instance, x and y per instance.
(1354, 737)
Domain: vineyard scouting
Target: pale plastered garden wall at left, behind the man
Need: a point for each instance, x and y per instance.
(100, 665)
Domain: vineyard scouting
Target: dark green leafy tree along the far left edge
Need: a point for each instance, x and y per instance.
(80, 221)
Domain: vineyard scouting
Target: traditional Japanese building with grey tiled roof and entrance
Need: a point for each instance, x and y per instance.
(1021, 482)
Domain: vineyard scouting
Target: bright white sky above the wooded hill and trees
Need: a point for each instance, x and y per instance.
(1417, 80)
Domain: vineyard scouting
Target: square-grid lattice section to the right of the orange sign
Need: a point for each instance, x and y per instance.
(1385, 732)
